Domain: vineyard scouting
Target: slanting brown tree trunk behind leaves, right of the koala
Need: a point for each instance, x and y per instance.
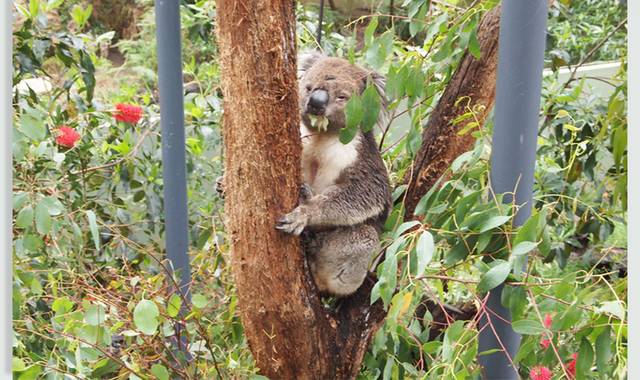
(441, 144)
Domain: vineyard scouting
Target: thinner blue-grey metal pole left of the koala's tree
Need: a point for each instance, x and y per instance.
(173, 140)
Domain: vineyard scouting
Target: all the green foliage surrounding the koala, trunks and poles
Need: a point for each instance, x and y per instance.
(93, 295)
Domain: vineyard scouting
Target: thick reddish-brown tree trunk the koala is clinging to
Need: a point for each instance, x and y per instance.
(290, 333)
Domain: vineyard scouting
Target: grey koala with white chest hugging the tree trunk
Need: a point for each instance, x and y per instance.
(346, 197)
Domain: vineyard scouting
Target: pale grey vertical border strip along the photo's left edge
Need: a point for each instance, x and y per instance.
(6, 341)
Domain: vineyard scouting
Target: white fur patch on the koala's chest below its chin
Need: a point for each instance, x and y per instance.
(324, 157)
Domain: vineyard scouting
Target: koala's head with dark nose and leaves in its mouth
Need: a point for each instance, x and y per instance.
(325, 86)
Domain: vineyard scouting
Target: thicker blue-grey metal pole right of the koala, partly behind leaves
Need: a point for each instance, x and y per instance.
(520, 63)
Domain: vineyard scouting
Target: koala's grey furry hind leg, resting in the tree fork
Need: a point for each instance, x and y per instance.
(341, 258)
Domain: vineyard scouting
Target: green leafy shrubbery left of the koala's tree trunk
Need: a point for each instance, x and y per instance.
(91, 294)
